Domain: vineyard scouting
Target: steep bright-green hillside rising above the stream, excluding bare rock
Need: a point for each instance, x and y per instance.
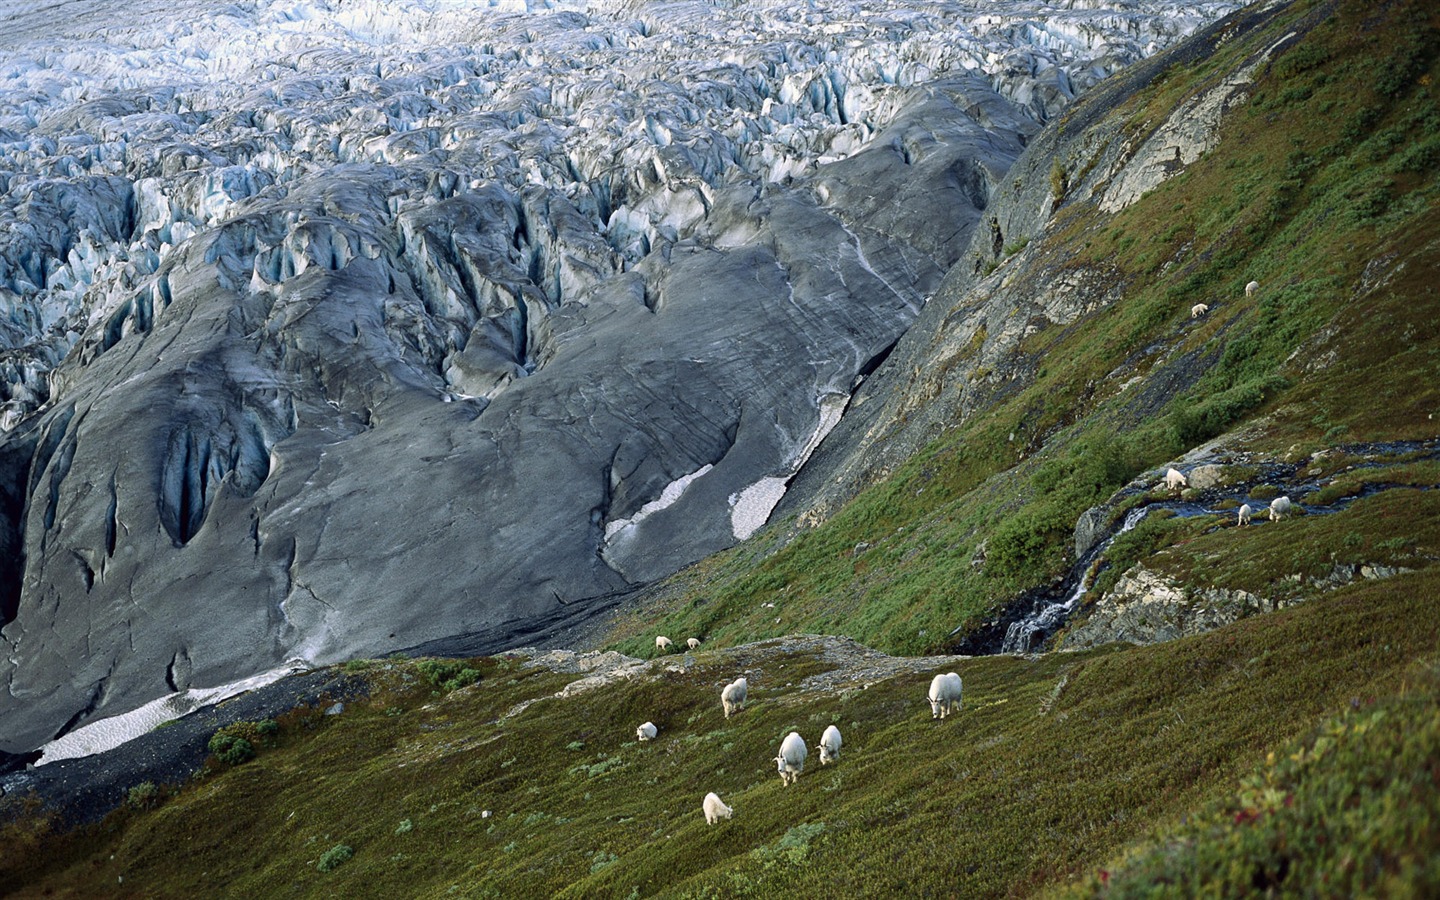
(1324, 189)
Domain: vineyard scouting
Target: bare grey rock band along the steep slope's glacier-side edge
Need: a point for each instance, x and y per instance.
(966, 351)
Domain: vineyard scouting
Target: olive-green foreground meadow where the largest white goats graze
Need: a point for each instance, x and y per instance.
(1053, 770)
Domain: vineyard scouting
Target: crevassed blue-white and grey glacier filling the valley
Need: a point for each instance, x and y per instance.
(330, 341)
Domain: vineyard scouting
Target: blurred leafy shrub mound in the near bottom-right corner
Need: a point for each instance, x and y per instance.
(1349, 811)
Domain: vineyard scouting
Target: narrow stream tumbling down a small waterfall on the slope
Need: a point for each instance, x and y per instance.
(1036, 616)
